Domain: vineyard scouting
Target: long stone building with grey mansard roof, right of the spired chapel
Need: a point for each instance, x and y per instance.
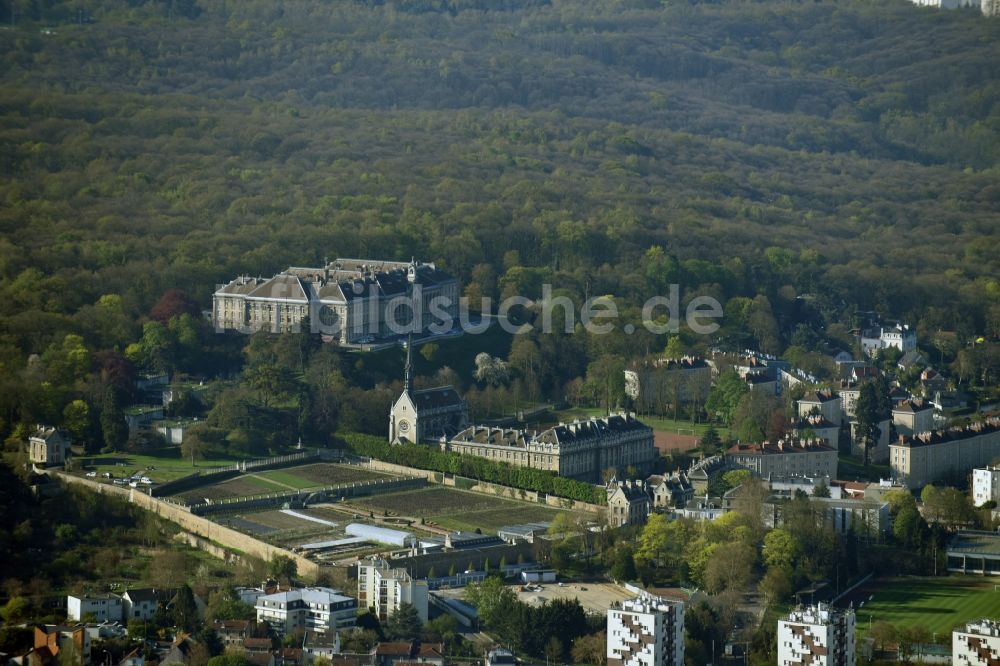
(580, 450)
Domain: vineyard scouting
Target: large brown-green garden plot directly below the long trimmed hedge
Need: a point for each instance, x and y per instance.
(458, 509)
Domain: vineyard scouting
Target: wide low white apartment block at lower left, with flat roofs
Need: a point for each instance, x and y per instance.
(310, 608)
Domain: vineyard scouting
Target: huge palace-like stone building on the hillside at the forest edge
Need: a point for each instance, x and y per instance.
(349, 300)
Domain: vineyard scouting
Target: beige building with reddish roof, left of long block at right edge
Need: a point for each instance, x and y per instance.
(786, 458)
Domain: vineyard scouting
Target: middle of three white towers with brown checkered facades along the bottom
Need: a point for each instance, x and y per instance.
(817, 635)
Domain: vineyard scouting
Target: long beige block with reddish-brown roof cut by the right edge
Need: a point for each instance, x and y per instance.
(930, 457)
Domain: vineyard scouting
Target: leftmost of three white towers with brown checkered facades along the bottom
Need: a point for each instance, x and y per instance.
(646, 631)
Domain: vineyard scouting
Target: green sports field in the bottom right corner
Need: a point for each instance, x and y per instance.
(936, 603)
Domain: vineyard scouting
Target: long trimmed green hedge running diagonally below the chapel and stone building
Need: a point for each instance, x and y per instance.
(473, 467)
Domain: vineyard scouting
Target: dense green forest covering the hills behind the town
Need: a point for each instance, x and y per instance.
(799, 161)
